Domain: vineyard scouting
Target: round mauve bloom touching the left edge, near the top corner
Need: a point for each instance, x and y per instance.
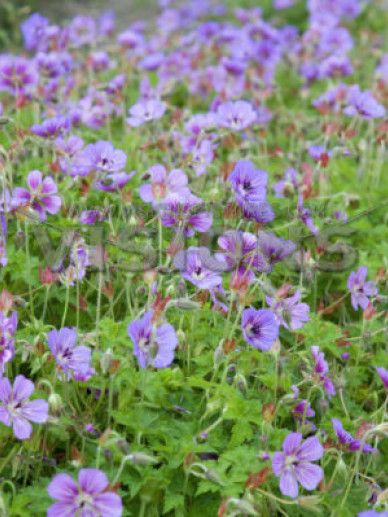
(18, 76)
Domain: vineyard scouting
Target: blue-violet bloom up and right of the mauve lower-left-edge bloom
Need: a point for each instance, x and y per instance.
(72, 360)
